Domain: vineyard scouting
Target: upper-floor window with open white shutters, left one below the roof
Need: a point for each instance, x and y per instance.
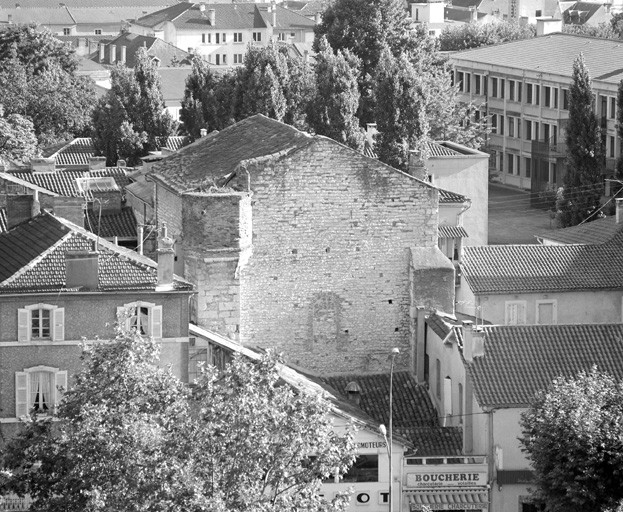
(41, 322)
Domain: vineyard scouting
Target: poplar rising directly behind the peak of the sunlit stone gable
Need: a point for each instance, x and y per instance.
(332, 111)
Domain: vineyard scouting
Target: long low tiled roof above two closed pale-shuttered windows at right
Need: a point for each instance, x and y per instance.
(542, 268)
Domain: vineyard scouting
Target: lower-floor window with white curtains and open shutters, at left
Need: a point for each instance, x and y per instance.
(37, 389)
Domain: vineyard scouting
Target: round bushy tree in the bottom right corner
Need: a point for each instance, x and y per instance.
(573, 435)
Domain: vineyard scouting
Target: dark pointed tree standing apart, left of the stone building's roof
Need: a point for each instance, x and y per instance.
(131, 118)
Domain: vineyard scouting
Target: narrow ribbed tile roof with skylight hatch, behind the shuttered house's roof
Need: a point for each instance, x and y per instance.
(63, 182)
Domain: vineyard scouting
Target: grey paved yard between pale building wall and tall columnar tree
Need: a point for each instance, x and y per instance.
(511, 220)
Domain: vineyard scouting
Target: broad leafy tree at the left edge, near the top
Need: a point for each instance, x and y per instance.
(38, 81)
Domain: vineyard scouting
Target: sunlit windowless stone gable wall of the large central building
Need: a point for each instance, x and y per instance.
(328, 282)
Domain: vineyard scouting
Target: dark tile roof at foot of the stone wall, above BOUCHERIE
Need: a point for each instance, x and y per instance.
(414, 416)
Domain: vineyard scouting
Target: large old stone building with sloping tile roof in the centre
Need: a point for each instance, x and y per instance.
(298, 242)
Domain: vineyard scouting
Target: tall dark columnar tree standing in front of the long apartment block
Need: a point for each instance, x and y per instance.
(585, 151)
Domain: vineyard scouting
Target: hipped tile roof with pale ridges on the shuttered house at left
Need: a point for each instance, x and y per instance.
(32, 259)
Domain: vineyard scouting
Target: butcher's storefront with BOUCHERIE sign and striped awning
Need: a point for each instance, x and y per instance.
(443, 483)
